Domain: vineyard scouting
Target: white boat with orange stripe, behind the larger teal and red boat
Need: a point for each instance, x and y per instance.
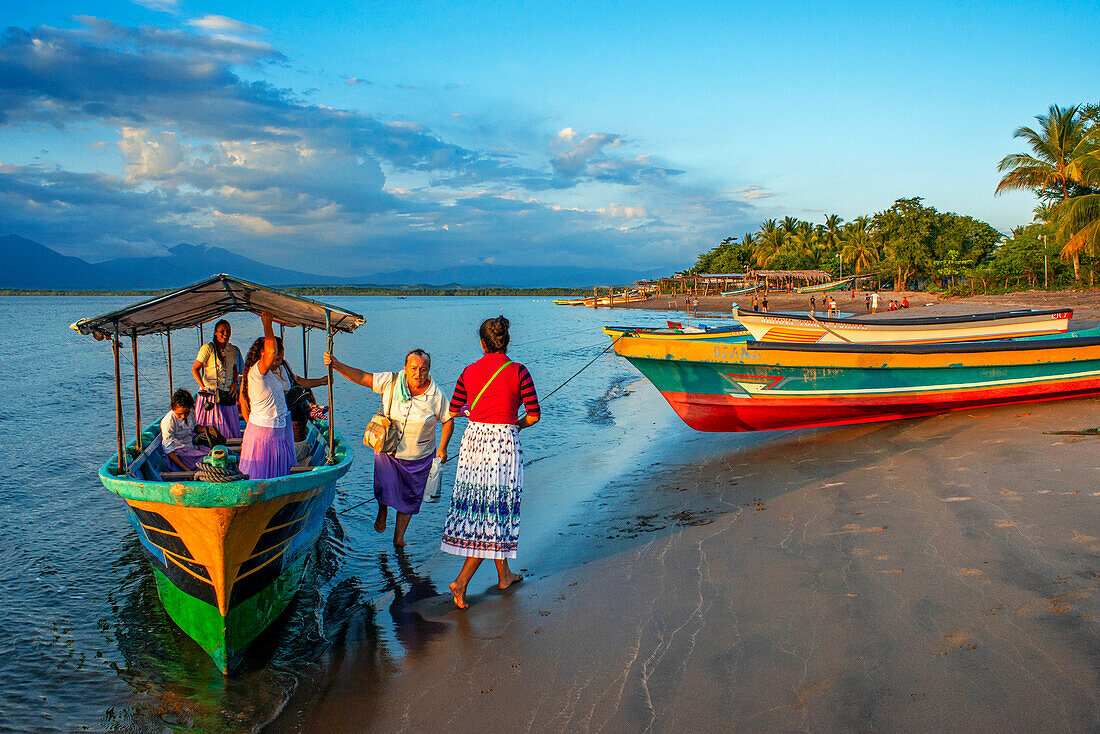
(973, 327)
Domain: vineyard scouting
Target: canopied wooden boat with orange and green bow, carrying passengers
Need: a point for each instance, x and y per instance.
(227, 557)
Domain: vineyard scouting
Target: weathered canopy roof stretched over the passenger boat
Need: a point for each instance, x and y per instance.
(212, 299)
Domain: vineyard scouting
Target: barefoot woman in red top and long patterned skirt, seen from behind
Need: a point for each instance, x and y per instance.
(485, 518)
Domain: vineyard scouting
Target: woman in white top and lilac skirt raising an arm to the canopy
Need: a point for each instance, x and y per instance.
(267, 450)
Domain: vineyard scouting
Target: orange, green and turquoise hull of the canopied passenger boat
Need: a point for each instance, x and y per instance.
(228, 558)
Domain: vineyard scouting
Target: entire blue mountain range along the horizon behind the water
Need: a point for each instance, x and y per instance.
(26, 265)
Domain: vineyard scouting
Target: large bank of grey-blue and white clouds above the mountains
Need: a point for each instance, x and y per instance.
(206, 155)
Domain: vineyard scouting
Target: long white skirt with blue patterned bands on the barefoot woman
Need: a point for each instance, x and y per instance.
(485, 517)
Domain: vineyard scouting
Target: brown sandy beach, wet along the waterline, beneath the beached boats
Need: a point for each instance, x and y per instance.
(930, 575)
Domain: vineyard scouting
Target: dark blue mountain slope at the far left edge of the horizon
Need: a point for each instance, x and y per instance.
(27, 265)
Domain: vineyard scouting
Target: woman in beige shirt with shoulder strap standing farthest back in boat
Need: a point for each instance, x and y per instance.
(216, 370)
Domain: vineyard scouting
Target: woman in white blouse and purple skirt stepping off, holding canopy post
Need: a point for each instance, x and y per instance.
(413, 401)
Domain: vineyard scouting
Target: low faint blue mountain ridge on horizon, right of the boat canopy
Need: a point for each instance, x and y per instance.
(514, 277)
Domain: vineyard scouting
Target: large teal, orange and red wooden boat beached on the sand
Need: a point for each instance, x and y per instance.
(757, 386)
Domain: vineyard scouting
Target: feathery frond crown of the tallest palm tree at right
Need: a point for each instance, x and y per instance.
(1059, 144)
